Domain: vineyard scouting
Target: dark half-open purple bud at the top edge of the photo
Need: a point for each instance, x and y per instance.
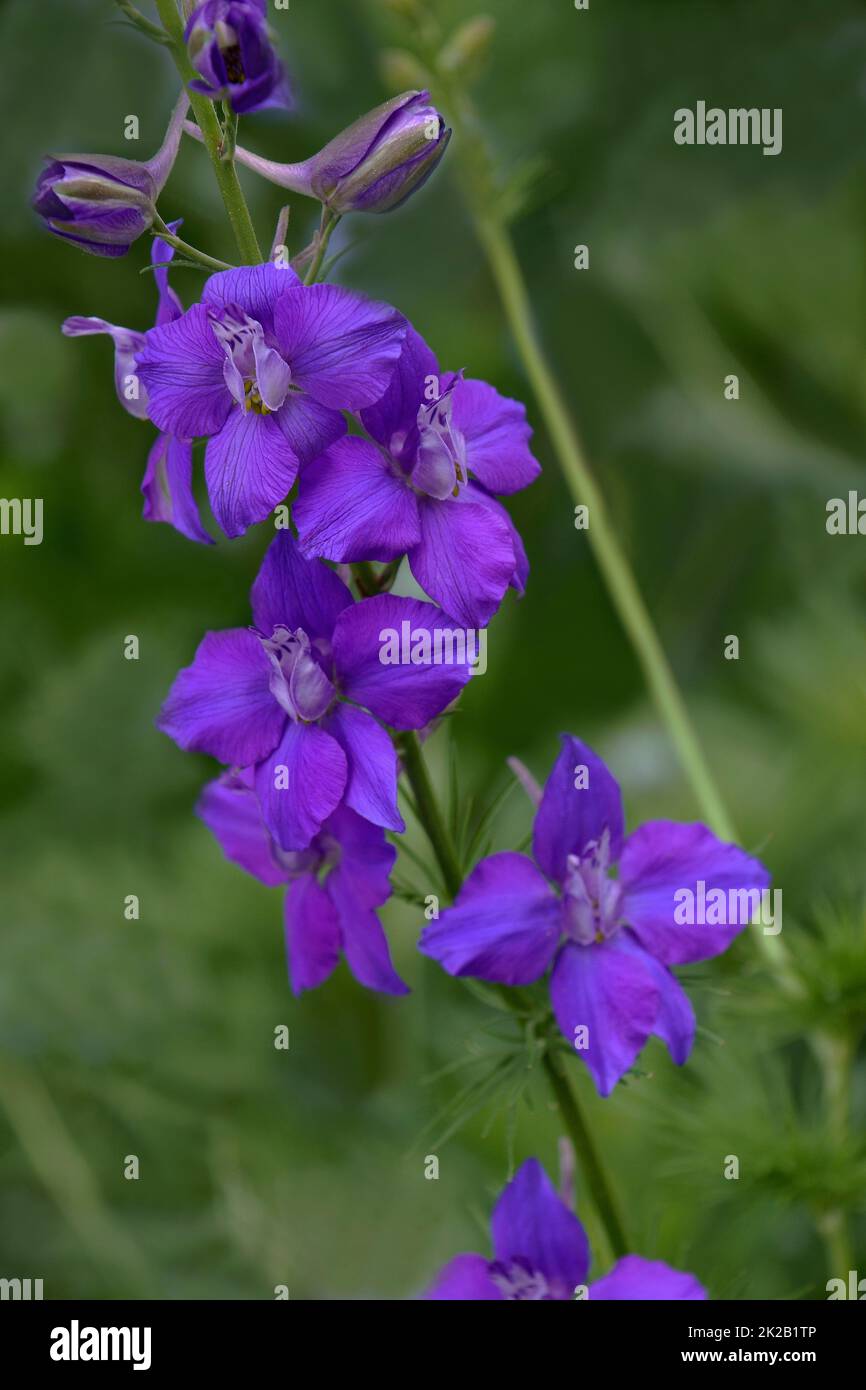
(230, 48)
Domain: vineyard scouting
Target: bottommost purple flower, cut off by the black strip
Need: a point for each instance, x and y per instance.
(541, 1254)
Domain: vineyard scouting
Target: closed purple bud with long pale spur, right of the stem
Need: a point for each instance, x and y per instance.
(375, 166)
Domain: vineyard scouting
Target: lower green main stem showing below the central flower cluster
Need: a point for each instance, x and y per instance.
(572, 1117)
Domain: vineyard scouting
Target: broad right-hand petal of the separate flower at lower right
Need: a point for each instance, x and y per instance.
(665, 858)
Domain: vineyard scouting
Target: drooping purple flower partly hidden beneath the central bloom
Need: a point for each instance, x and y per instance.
(333, 889)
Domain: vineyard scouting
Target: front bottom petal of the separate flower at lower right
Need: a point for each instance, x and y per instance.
(610, 993)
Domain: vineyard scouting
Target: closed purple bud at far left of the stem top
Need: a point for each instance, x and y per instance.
(105, 204)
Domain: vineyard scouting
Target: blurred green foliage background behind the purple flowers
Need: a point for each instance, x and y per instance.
(155, 1038)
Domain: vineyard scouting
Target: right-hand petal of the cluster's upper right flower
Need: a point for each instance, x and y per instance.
(497, 437)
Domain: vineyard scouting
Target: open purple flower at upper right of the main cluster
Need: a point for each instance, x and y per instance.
(425, 484)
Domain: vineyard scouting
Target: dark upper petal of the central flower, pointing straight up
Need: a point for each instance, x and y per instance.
(293, 591)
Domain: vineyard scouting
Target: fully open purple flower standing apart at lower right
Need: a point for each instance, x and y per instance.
(611, 942)
